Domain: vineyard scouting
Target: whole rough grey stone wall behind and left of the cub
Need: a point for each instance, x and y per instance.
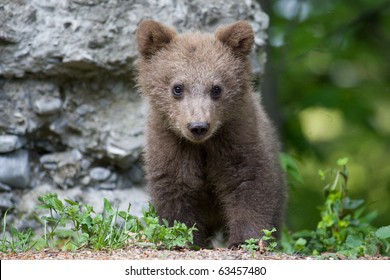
(68, 90)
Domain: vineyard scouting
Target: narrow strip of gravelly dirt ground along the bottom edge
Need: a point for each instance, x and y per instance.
(133, 253)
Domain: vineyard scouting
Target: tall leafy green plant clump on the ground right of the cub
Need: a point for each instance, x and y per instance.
(345, 227)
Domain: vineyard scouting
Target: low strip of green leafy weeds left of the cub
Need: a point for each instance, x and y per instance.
(72, 225)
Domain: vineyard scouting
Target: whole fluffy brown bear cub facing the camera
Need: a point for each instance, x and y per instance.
(212, 156)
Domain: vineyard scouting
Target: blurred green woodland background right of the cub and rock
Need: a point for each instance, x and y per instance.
(327, 85)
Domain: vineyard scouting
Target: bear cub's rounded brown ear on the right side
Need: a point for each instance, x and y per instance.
(239, 36)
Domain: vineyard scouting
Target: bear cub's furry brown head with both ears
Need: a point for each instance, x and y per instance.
(195, 82)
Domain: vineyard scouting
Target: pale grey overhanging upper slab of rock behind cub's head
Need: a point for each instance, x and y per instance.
(84, 38)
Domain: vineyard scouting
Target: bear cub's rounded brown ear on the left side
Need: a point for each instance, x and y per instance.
(153, 36)
